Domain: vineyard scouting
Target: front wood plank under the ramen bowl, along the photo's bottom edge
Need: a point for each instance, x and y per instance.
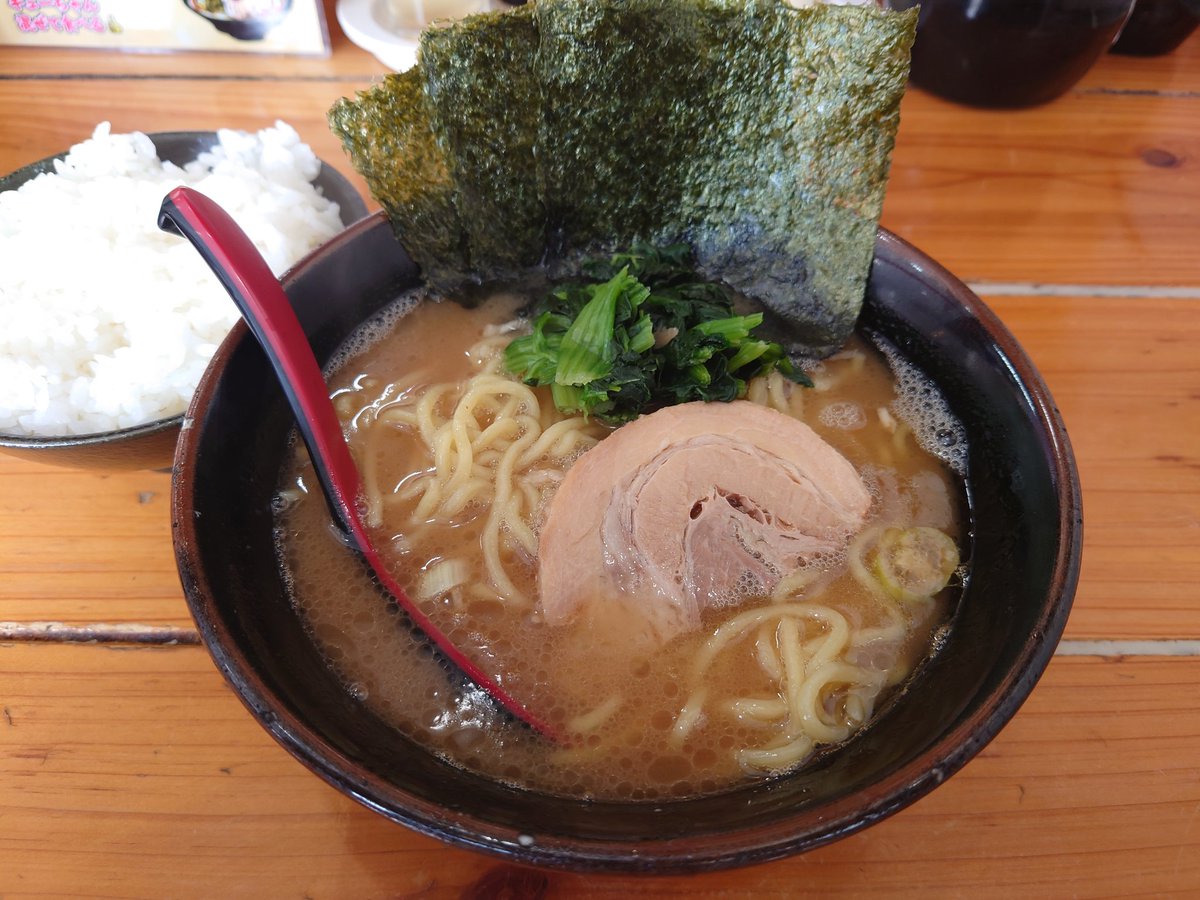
(137, 773)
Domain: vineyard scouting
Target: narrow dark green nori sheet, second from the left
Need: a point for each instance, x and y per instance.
(487, 107)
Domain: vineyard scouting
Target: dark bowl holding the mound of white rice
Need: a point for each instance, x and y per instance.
(152, 445)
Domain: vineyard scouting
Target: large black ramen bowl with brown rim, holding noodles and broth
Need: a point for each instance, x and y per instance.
(1025, 556)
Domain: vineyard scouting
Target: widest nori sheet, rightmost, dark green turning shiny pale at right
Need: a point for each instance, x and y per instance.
(758, 133)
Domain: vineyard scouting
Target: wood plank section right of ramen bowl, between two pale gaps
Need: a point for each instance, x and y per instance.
(1126, 376)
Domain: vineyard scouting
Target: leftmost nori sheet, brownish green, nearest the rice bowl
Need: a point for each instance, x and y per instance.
(387, 131)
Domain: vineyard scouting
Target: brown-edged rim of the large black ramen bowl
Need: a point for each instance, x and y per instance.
(841, 818)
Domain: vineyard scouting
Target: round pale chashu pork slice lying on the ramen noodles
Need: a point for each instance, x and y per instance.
(695, 506)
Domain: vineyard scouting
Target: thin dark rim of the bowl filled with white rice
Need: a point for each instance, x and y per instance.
(15, 179)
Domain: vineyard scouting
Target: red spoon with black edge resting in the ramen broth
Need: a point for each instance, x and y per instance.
(269, 315)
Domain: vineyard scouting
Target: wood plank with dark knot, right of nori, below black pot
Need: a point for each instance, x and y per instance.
(1095, 189)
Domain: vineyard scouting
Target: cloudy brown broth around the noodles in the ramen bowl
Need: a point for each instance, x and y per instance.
(575, 670)
